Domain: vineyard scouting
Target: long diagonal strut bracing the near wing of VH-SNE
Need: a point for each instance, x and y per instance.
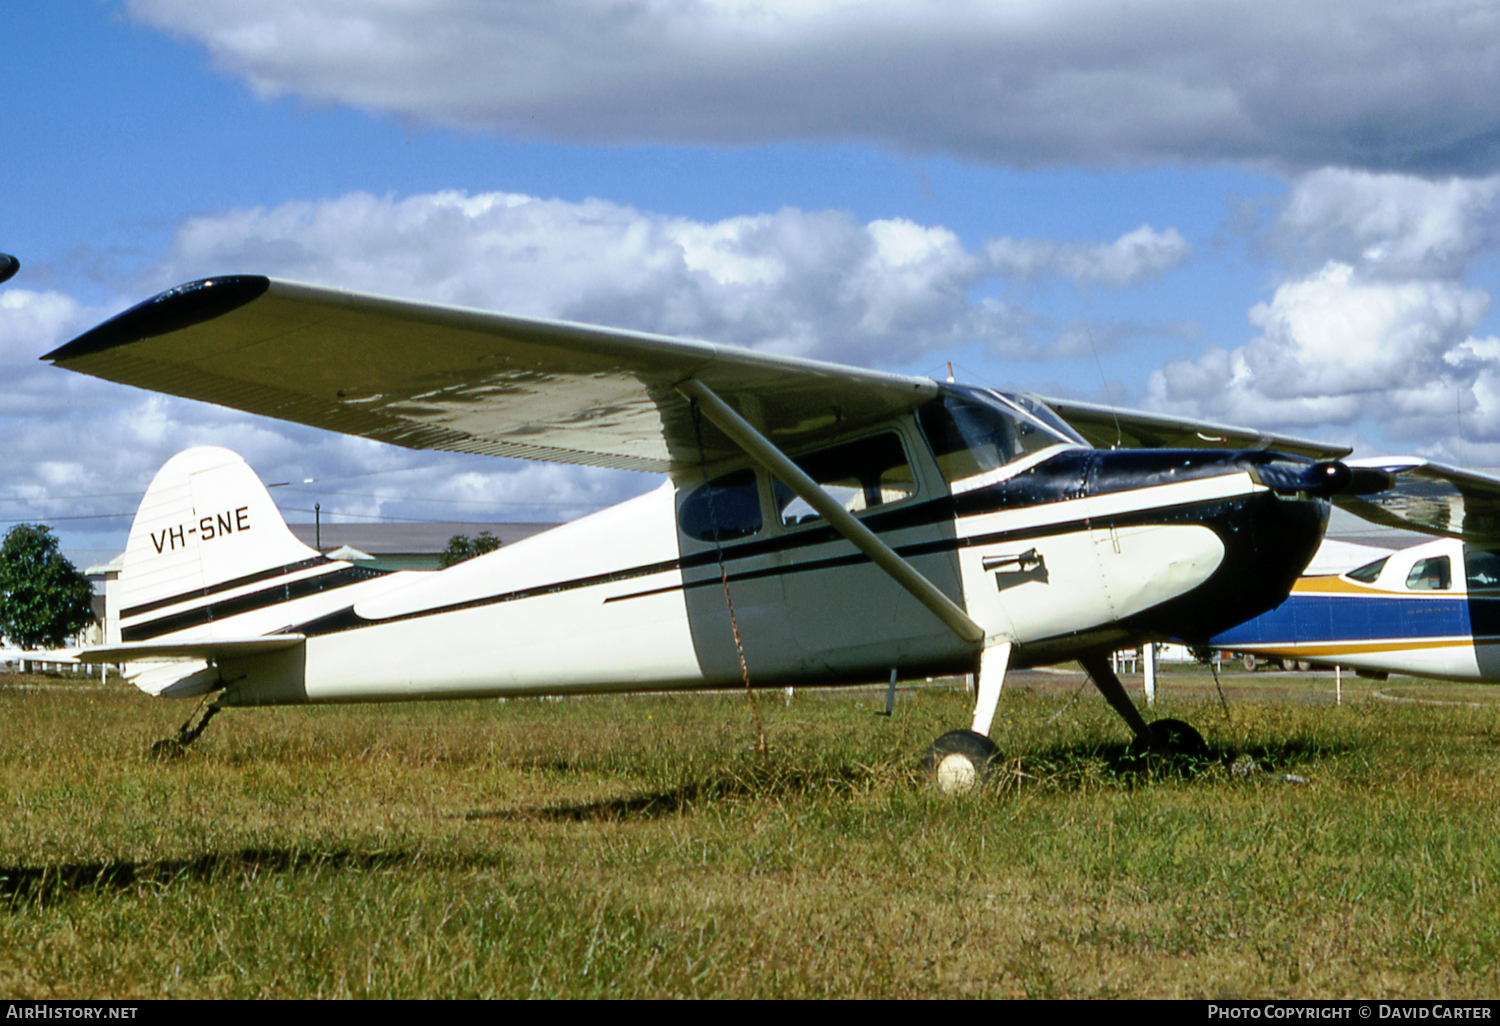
(764, 452)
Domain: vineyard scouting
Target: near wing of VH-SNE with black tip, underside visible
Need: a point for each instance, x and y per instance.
(437, 377)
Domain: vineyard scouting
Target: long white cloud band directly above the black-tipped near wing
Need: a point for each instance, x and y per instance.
(815, 284)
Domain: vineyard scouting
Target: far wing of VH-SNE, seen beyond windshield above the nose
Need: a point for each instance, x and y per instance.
(1111, 428)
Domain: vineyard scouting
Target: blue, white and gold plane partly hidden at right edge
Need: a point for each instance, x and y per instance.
(1430, 610)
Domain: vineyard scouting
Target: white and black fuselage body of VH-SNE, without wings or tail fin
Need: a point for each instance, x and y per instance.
(1081, 551)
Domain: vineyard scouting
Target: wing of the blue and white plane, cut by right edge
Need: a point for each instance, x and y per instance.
(1432, 499)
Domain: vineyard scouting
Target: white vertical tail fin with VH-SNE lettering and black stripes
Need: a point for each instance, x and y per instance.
(206, 533)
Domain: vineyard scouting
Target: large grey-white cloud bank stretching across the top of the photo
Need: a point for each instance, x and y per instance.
(1391, 85)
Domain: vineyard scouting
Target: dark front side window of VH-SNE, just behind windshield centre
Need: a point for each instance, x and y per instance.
(971, 437)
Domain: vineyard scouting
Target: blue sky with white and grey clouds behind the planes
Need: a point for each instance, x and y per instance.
(1276, 215)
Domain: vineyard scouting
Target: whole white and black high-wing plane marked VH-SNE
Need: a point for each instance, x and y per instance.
(820, 524)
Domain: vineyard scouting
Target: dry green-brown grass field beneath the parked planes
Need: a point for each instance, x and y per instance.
(640, 848)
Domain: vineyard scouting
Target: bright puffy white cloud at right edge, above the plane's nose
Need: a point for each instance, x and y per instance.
(1376, 331)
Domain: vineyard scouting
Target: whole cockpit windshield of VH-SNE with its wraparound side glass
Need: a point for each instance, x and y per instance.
(977, 430)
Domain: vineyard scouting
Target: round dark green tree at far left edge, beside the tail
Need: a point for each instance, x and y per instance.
(44, 601)
